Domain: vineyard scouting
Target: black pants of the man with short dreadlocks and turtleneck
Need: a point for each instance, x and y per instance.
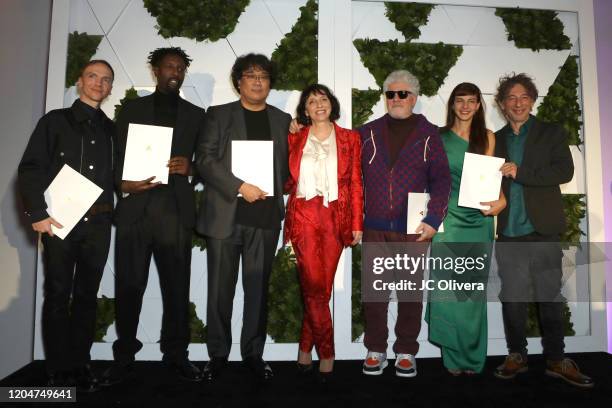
(159, 233)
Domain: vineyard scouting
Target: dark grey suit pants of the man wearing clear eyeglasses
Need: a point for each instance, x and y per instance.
(257, 247)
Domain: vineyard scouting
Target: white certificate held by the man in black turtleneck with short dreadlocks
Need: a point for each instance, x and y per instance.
(147, 153)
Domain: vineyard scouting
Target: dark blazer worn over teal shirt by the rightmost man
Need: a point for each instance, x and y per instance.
(547, 162)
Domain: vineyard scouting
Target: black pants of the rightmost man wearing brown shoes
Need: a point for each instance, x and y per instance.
(530, 270)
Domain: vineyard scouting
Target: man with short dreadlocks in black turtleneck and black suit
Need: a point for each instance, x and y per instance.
(155, 219)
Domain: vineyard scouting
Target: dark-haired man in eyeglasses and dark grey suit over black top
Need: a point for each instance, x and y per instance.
(239, 219)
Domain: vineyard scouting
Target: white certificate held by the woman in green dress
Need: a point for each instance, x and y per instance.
(480, 180)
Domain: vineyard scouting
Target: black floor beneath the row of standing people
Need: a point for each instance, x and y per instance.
(433, 387)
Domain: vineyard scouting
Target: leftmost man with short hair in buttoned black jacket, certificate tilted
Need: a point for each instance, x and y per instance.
(81, 137)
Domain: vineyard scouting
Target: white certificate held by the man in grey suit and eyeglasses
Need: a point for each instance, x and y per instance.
(253, 162)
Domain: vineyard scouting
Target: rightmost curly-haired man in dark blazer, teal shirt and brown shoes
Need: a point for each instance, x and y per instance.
(529, 255)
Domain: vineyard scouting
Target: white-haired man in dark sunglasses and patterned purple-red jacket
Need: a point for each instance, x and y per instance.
(402, 153)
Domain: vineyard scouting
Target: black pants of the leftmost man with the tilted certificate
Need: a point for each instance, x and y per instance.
(73, 269)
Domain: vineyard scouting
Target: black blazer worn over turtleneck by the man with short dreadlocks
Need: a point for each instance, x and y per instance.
(189, 125)
